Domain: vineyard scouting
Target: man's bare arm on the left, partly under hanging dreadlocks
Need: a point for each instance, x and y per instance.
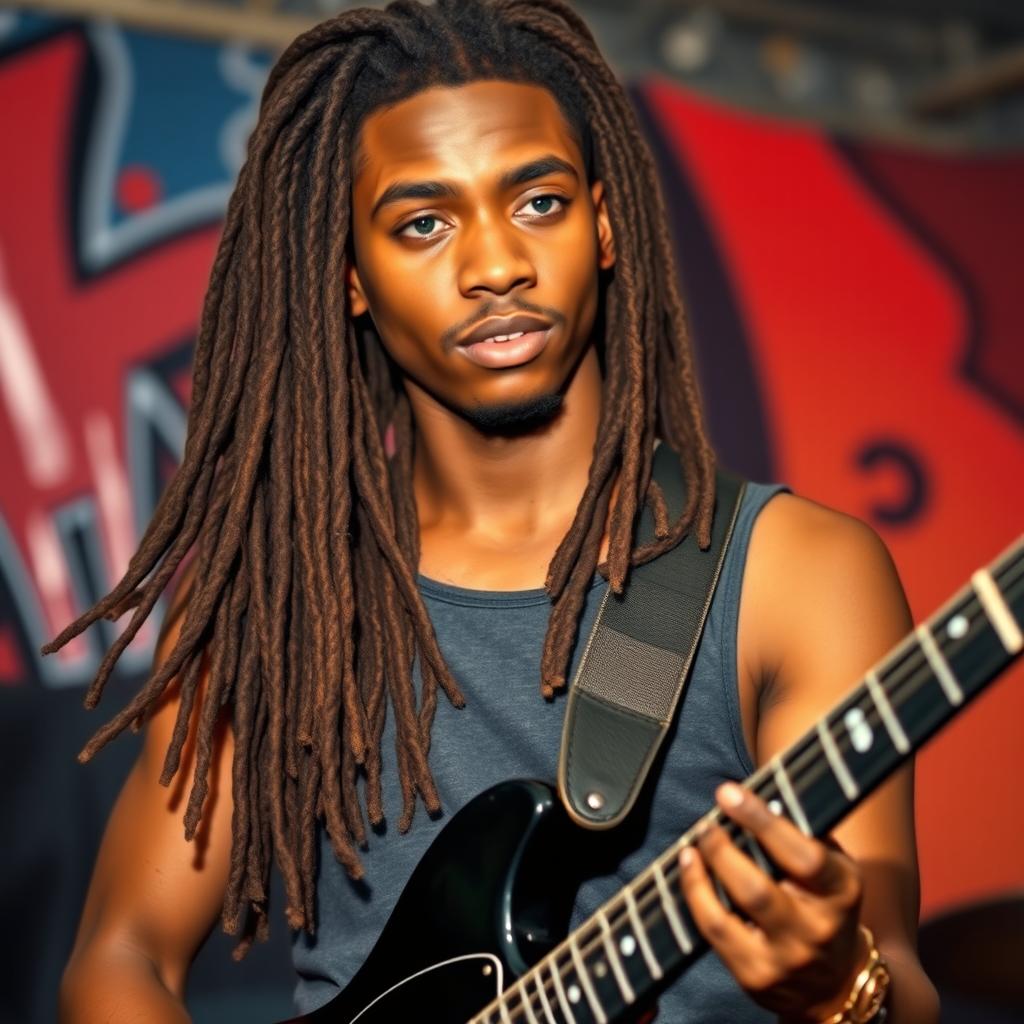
(154, 898)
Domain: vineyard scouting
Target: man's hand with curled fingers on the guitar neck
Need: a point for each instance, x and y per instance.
(802, 950)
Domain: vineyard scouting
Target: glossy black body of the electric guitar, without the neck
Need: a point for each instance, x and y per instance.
(491, 898)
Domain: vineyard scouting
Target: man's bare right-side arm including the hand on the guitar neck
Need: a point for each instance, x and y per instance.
(822, 604)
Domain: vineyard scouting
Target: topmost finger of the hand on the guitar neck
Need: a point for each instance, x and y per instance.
(812, 864)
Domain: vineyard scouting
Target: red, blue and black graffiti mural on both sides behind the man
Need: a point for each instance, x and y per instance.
(855, 309)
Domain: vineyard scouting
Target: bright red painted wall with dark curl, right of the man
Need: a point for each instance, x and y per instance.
(880, 293)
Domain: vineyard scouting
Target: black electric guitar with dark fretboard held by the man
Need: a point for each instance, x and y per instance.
(479, 935)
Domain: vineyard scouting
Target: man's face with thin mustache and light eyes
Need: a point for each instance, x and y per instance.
(471, 234)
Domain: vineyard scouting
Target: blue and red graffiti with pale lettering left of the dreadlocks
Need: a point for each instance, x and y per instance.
(120, 185)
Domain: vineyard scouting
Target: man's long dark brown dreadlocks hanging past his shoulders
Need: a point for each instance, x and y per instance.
(305, 530)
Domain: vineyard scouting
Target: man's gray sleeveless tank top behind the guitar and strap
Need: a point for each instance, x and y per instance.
(492, 642)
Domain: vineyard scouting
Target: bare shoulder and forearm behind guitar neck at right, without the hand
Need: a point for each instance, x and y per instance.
(834, 615)
